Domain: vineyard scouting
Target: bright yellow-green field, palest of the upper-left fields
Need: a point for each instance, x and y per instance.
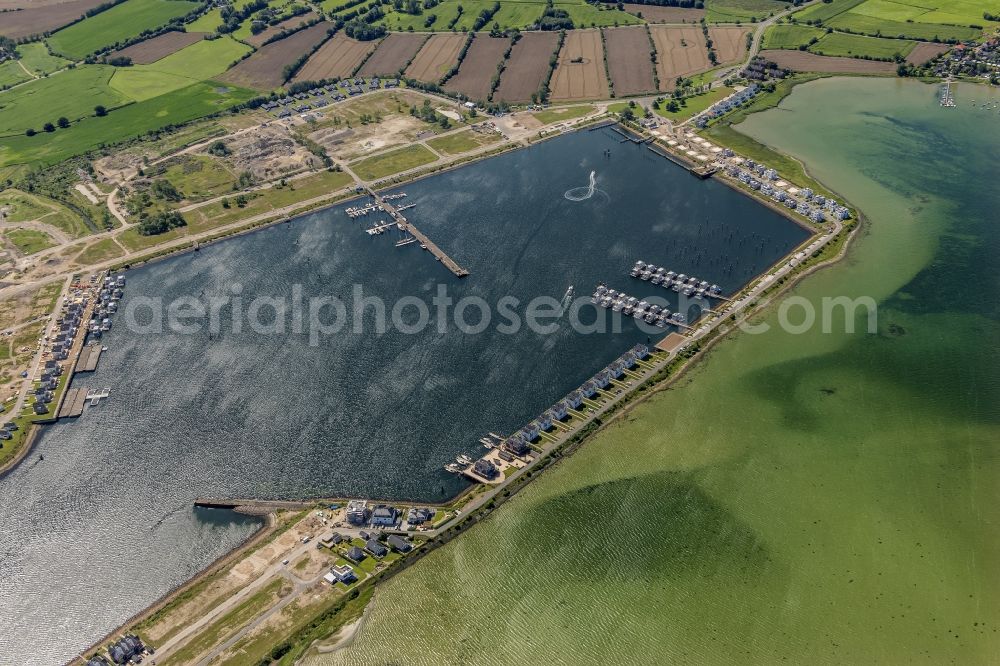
(198, 62)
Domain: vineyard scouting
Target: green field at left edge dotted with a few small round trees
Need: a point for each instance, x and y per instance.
(72, 94)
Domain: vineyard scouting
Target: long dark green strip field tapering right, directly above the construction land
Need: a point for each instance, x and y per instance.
(180, 106)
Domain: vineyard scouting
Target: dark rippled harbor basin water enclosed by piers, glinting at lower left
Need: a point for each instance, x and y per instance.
(104, 525)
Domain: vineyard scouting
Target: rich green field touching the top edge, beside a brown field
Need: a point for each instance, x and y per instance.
(119, 23)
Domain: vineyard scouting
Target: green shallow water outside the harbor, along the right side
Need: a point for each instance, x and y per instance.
(810, 498)
